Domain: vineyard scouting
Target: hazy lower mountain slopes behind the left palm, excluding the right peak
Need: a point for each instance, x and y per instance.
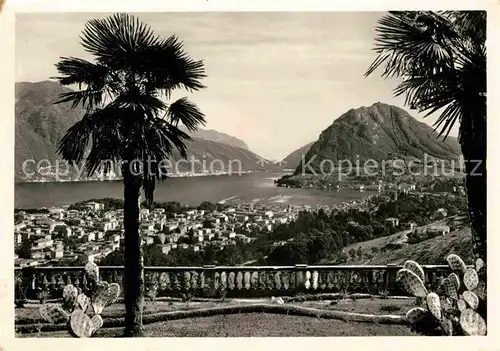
(40, 125)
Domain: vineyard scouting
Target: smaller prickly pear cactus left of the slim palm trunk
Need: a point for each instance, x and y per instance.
(73, 310)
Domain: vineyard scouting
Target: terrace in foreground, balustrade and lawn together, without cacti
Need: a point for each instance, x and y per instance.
(227, 301)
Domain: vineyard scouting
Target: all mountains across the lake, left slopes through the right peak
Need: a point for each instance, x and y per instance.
(378, 132)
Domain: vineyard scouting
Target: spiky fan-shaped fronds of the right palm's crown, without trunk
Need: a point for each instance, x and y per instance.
(441, 58)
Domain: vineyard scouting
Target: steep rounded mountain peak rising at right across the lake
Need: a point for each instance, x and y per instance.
(379, 132)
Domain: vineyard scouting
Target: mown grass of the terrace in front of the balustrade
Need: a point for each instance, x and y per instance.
(247, 324)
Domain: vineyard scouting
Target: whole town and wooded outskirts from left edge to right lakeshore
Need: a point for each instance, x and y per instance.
(90, 231)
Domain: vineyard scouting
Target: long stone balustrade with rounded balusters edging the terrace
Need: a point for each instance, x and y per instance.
(235, 281)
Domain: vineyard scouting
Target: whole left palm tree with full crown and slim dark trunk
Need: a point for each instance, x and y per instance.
(128, 122)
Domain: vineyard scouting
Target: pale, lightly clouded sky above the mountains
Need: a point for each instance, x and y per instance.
(275, 79)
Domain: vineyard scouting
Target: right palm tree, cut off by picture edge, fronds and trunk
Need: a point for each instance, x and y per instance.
(440, 58)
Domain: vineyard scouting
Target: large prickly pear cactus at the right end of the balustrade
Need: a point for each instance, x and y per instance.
(461, 310)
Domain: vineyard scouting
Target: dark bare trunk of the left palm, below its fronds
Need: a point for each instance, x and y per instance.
(134, 270)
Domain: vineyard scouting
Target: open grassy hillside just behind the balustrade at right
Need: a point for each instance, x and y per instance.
(431, 251)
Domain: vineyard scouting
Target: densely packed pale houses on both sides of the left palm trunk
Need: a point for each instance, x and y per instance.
(92, 232)
